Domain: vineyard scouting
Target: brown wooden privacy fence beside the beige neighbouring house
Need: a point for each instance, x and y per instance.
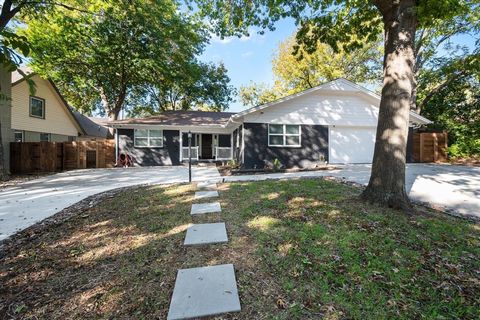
(37, 157)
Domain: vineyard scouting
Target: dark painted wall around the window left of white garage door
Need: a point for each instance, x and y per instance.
(258, 154)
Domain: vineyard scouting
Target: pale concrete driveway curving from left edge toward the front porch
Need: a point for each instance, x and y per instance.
(30, 202)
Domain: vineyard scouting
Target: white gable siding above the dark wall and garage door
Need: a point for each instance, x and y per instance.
(345, 108)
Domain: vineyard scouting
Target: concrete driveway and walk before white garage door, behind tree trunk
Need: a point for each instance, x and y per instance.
(452, 188)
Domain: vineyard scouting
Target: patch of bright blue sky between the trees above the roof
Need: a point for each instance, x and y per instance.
(248, 59)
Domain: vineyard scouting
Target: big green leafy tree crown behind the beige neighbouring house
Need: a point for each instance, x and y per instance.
(98, 58)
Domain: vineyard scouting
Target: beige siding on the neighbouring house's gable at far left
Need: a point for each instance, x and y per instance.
(57, 119)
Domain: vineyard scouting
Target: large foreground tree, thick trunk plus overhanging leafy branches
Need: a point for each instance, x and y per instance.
(355, 22)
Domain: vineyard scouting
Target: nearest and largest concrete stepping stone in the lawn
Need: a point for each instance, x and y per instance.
(205, 291)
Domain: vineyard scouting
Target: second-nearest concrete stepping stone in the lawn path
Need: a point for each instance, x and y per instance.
(206, 233)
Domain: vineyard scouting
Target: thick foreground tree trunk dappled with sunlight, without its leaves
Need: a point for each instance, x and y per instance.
(387, 181)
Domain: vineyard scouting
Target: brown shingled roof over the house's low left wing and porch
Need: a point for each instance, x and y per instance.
(181, 118)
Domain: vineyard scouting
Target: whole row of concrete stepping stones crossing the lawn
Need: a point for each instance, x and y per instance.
(211, 290)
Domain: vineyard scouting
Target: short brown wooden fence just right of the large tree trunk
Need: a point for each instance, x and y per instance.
(430, 147)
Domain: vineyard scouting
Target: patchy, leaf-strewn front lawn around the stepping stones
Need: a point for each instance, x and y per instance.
(302, 249)
